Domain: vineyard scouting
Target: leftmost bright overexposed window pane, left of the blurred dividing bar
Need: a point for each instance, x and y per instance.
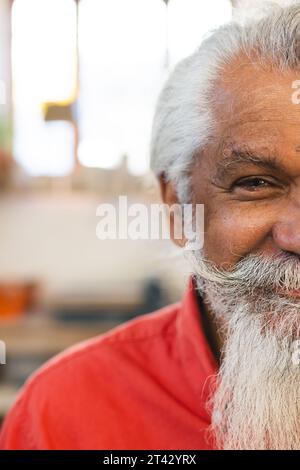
(43, 66)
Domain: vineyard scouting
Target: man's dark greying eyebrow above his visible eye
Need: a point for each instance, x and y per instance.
(238, 158)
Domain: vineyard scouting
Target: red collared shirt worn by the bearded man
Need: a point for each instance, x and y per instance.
(142, 385)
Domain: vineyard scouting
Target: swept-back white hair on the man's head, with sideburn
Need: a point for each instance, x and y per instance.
(184, 123)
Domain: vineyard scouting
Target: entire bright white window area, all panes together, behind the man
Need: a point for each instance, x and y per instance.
(104, 59)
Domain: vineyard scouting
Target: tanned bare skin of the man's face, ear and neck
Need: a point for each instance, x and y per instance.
(249, 207)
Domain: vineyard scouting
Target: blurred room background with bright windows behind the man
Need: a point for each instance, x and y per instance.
(78, 86)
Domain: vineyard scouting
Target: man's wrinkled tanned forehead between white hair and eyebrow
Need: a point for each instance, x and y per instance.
(256, 105)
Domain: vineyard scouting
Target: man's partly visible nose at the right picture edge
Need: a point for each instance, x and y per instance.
(286, 233)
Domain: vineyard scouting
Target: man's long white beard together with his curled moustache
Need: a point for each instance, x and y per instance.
(256, 404)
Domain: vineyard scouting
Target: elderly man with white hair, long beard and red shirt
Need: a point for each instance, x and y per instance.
(218, 370)
